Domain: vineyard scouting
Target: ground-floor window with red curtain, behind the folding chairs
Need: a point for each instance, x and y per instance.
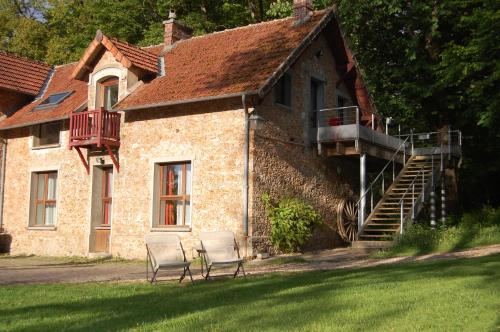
(172, 194)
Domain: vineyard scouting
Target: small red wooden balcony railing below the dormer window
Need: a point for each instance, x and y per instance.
(94, 128)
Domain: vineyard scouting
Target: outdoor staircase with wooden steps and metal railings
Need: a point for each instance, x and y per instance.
(422, 159)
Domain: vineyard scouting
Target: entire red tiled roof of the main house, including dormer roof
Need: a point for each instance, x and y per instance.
(242, 60)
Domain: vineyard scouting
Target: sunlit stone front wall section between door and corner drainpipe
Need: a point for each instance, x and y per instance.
(211, 136)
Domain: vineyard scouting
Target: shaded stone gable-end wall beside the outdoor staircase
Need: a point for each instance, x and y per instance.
(284, 161)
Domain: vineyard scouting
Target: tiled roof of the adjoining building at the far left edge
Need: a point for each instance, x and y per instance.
(22, 75)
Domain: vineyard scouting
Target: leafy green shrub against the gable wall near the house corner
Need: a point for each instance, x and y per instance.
(292, 222)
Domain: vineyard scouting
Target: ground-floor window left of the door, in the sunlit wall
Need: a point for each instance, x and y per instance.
(43, 199)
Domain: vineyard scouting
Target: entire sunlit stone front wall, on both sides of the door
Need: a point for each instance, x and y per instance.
(210, 135)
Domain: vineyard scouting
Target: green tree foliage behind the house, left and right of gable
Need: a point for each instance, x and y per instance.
(427, 63)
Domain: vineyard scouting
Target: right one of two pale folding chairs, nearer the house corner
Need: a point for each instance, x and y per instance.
(220, 249)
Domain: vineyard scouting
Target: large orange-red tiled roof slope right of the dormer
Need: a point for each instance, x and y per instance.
(224, 63)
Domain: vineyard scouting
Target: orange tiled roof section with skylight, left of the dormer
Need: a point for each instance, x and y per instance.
(60, 82)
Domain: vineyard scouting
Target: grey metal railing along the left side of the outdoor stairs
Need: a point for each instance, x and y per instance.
(380, 177)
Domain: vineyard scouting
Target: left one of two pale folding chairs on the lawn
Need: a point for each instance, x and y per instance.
(165, 251)
